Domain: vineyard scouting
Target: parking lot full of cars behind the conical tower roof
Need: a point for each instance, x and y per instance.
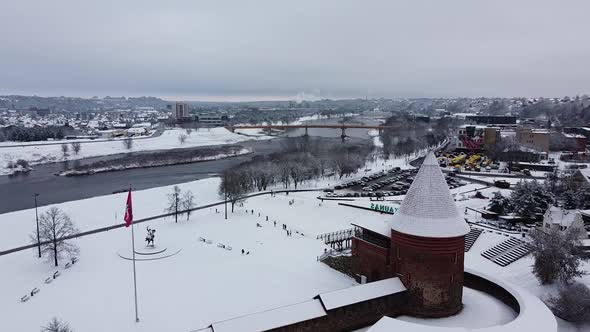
(394, 182)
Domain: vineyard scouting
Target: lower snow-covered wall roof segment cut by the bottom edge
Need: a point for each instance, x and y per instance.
(270, 319)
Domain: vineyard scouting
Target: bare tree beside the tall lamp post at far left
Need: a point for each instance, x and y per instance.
(54, 225)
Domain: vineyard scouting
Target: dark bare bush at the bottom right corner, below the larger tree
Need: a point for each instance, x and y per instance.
(571, 303)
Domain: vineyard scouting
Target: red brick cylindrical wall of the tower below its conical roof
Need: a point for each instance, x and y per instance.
(432, 271)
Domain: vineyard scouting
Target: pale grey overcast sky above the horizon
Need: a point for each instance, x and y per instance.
(248, 49)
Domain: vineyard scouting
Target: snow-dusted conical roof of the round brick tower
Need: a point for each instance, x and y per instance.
(429, 210)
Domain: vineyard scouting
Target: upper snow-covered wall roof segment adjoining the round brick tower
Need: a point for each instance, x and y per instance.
(365, 292)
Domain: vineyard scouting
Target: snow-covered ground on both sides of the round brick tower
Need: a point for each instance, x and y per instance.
(204, 283)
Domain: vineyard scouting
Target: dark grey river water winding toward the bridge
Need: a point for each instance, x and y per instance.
(16, 191)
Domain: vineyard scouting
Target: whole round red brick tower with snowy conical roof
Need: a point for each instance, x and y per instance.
(427, 245)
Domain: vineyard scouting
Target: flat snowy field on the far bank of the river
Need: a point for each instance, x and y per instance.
(168, 140)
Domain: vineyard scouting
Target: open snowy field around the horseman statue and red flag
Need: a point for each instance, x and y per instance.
(203, 283)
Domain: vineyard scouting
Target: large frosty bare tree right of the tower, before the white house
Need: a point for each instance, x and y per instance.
(557, 255)
